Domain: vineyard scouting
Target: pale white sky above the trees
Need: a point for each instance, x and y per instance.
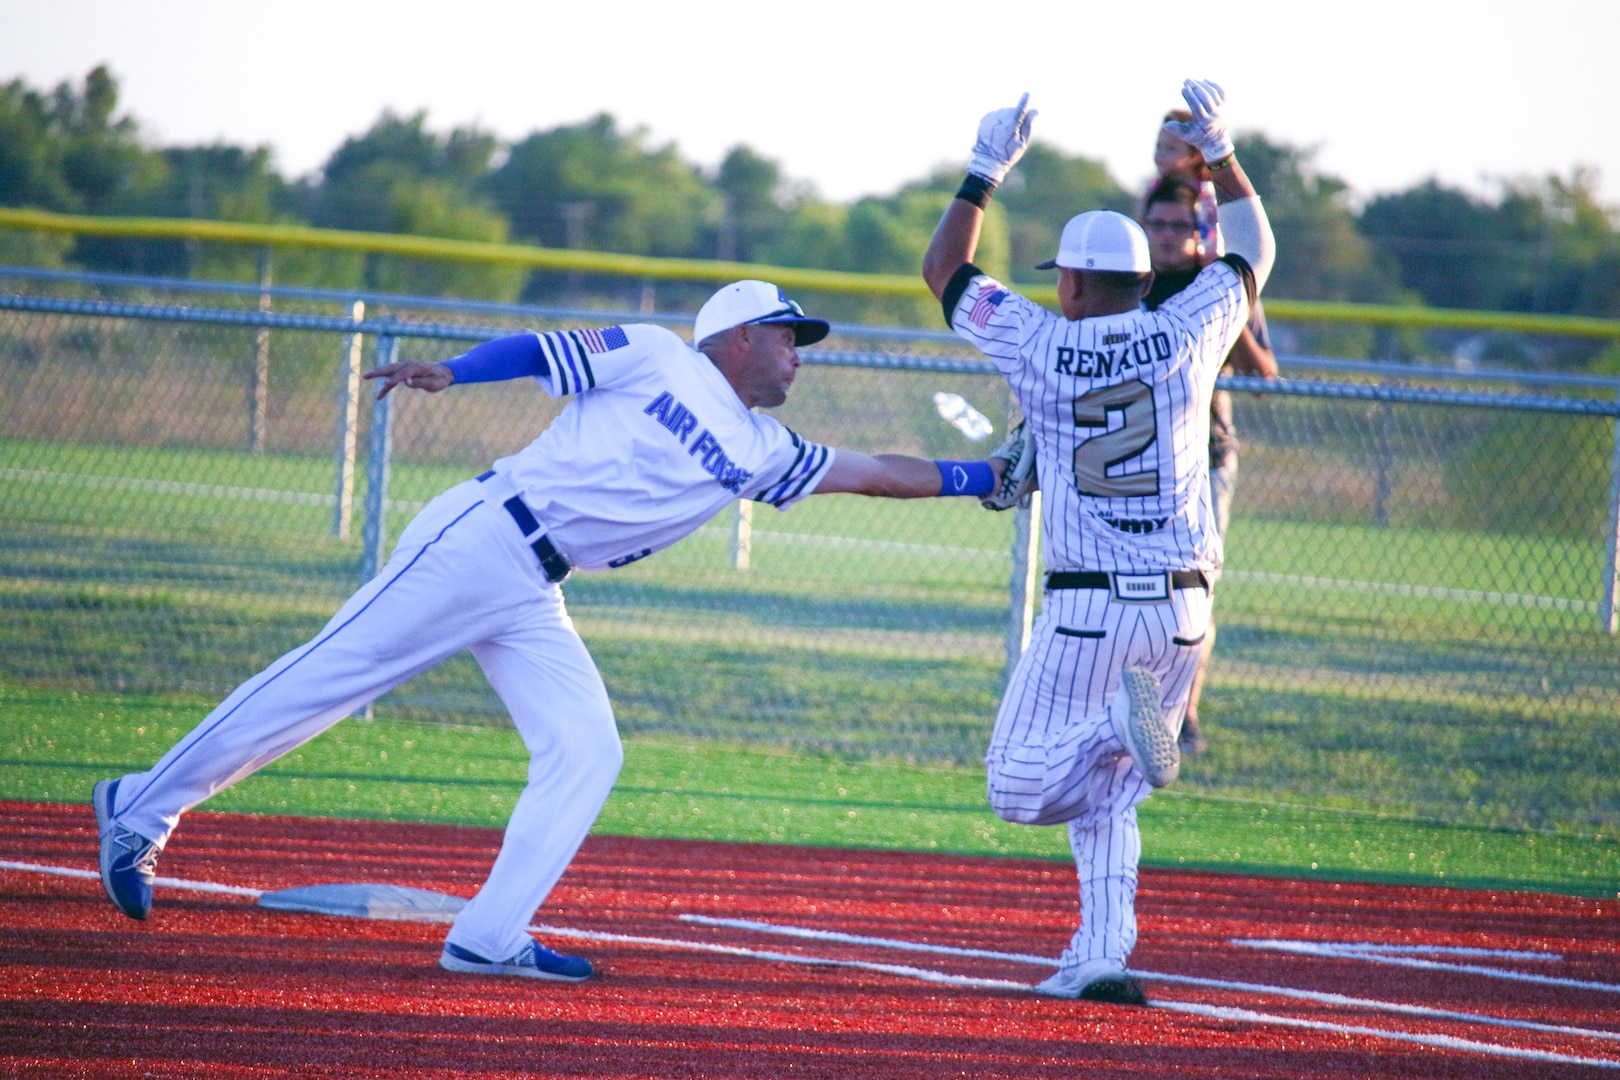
(863, 96)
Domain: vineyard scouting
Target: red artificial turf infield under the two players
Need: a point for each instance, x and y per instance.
(218, 987)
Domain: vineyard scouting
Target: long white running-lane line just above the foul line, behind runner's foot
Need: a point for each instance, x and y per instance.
(1187, 980)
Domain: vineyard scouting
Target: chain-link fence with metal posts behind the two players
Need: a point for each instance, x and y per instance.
(184, 496)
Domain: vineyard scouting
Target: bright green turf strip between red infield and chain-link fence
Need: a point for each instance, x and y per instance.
(56, 746)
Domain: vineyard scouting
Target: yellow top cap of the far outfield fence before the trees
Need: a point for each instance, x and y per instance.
(663, 270)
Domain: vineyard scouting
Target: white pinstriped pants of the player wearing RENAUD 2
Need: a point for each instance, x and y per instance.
(1054, 757)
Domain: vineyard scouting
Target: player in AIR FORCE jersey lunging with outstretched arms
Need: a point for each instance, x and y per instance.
(657, 440)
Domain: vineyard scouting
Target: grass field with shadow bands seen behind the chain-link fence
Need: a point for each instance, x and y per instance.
(864, 631)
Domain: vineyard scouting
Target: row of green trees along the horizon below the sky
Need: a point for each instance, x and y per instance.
(1543, 245)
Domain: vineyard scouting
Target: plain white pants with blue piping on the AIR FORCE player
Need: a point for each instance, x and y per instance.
(461, 579)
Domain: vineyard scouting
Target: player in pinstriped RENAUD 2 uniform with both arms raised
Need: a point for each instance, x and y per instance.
(1117, 407)
